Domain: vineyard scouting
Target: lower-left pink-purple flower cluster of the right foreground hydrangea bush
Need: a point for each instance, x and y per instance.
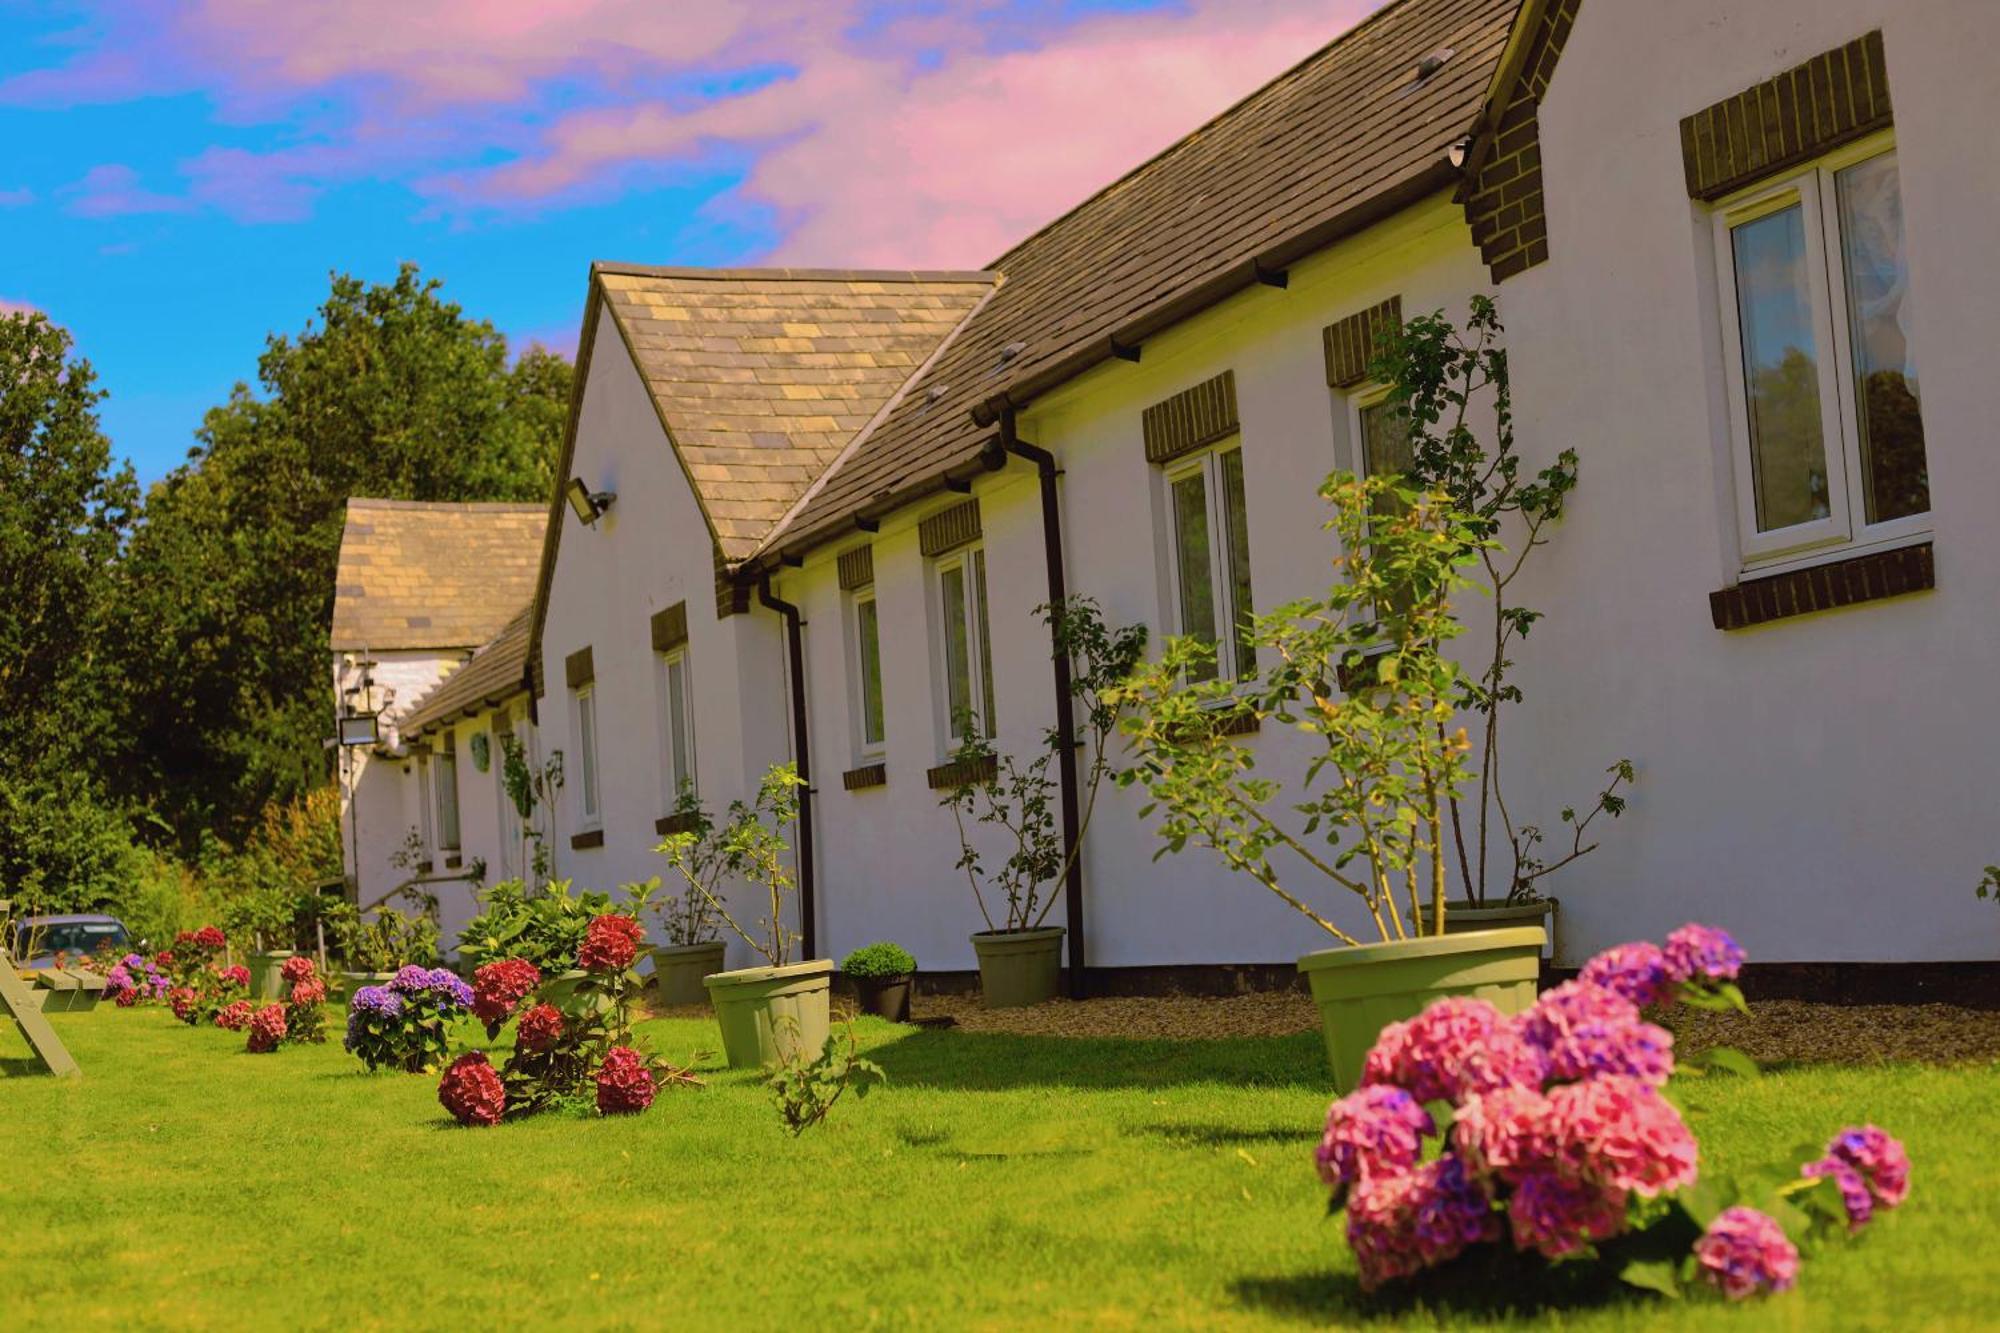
(1405, 1224)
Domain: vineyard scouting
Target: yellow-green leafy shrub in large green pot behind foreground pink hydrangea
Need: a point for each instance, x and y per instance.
(1363, 672)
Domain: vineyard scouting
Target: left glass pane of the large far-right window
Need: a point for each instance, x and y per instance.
(1781, 371)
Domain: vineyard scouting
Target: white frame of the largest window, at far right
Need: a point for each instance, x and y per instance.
(1845, 531)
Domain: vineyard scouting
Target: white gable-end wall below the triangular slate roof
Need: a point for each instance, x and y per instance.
(651, 551)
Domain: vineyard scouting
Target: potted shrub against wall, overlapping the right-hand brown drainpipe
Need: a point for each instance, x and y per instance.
(1021, 954)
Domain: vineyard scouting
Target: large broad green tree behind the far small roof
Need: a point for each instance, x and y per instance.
(229, 583)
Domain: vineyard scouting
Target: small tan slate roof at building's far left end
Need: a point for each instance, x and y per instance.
(429, 575)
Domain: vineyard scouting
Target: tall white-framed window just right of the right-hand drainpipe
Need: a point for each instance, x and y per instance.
(1213, 555)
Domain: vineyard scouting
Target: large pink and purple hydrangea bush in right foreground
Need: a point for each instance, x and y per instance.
(1553, 1136)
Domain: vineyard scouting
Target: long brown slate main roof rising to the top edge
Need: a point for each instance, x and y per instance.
(1327, 149)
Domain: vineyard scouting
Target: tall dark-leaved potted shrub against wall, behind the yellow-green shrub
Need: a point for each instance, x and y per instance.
(1437, 373)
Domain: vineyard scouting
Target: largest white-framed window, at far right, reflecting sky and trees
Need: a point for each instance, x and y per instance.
(1825, 407)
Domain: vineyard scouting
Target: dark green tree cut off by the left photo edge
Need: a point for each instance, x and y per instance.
(65, 513)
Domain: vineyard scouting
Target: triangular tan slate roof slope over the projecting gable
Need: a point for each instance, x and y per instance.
(765, 375)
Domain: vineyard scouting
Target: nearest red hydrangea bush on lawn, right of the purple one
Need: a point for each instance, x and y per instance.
(573, 1038)
